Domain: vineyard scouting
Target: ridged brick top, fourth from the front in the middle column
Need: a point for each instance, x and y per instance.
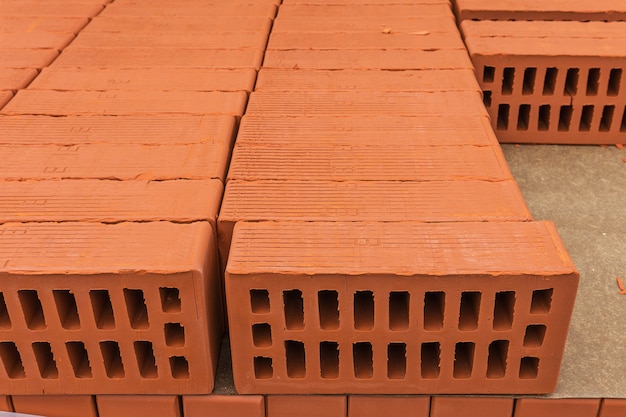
(425, 130)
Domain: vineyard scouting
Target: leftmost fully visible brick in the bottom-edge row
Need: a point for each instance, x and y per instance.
(56, 405)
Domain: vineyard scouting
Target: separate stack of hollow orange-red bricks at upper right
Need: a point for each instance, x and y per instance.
(552, 72)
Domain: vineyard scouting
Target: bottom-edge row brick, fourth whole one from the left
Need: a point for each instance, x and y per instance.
(306, 406)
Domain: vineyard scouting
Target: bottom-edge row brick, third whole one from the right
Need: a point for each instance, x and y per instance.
(388, 405)
